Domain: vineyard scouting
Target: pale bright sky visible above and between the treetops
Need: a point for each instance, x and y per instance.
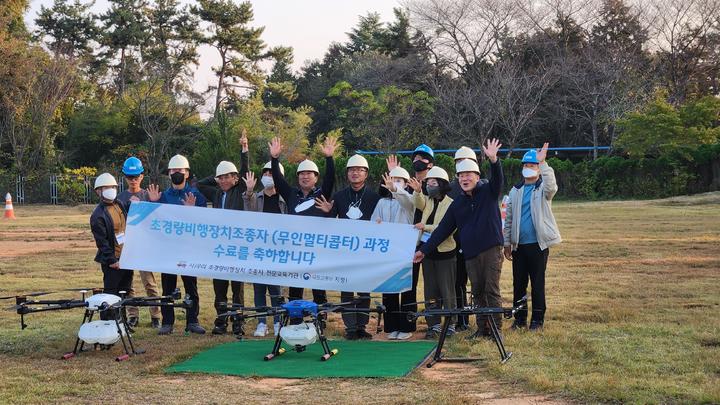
(308, 26)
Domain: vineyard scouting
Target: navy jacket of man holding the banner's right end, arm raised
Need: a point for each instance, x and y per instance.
(476, 218)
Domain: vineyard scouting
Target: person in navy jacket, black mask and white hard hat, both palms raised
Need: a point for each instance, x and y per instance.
(179, 193)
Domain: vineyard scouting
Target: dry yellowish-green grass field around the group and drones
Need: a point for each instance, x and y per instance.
(633, 316)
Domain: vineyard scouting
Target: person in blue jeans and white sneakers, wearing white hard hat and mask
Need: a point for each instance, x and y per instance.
(267, 200)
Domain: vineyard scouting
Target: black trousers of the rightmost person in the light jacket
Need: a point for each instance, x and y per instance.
(529, 263)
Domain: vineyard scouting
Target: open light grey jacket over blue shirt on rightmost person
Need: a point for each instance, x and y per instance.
(540, 207)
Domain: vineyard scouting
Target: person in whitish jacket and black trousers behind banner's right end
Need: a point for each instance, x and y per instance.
(396, 206)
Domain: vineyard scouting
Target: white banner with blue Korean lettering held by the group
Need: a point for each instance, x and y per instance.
(285, 250)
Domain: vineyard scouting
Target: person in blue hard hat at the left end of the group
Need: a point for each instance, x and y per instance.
(133, 171)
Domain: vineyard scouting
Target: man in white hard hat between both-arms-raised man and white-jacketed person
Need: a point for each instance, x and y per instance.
(357, 201)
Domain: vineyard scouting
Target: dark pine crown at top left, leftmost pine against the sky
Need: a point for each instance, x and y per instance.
(68, 28)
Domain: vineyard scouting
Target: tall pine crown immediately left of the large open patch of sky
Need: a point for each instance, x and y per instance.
(239, 45)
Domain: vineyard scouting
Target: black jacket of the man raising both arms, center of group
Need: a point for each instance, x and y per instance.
(294, 196)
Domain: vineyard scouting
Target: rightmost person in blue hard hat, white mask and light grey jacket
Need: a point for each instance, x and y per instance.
(529, 231)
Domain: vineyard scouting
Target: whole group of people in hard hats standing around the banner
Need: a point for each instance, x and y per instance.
(460, 233)
